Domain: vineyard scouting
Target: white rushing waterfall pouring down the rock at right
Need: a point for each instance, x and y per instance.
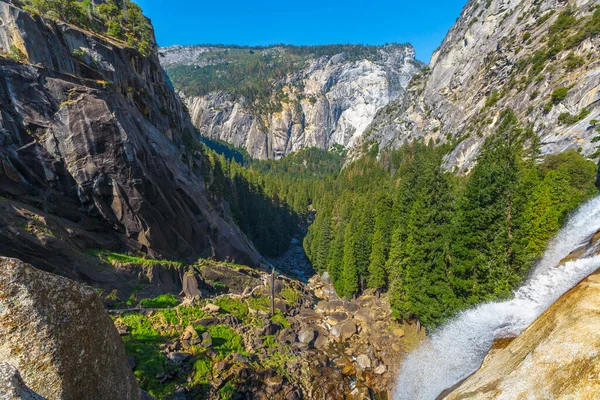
(457, 349)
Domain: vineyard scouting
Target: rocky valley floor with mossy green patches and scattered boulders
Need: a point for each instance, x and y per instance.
(222, 341)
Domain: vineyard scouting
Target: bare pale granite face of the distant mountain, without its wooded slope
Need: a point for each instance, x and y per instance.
(329, 100)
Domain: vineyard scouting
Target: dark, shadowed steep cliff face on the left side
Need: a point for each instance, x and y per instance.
(96, 152)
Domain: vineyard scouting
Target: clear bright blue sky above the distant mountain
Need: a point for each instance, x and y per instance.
(263, 22)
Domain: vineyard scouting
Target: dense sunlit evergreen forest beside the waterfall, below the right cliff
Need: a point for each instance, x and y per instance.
(440, 242)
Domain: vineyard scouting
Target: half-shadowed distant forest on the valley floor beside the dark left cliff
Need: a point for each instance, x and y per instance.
(269, 200)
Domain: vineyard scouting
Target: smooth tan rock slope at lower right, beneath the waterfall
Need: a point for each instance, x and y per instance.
(555, 358)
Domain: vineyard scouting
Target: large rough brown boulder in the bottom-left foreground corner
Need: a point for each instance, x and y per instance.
(58, 335)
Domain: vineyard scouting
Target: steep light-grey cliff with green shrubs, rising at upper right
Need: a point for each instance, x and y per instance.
(504, 54)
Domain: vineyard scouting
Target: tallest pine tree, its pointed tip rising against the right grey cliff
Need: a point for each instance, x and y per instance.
(488, 215)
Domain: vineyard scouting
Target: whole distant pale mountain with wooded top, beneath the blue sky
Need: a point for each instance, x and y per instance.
(278, 99)
